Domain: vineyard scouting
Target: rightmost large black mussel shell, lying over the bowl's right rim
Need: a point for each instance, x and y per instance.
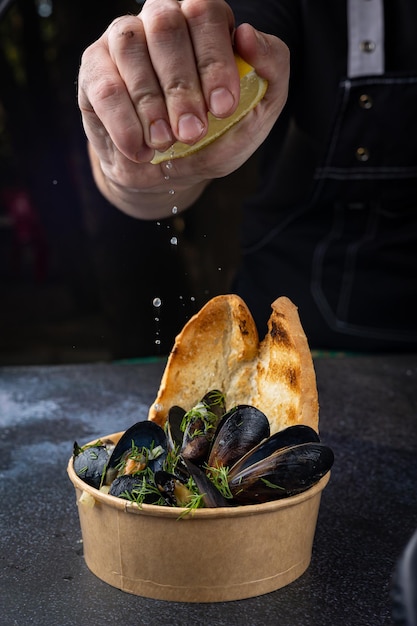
(286, 472)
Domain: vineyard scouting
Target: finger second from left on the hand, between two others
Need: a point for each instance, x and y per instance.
(129, 52)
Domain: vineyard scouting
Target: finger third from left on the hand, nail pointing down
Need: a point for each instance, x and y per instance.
(172, 57)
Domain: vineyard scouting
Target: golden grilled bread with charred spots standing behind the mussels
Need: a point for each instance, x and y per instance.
(219, 349)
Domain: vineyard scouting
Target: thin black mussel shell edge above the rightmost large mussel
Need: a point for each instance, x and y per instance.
(290, 436)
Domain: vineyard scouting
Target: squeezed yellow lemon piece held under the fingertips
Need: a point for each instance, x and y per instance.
(252, 90)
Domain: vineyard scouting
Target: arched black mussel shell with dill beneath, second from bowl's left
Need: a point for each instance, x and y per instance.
(144, 434)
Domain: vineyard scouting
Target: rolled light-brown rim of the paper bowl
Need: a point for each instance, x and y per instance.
(182, 512)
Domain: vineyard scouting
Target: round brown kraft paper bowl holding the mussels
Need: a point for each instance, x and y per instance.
(211, 555)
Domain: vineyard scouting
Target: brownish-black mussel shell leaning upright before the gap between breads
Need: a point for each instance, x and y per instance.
(240, 429)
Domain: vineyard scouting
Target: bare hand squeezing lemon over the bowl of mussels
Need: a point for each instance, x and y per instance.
(150, 79)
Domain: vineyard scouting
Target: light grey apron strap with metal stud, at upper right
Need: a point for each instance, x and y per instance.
(365, 37)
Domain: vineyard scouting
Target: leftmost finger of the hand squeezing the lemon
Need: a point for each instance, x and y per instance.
(105, 104)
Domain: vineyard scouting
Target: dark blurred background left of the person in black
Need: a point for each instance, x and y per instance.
(78, 277)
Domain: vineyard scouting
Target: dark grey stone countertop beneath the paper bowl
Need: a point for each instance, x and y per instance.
(368, 511)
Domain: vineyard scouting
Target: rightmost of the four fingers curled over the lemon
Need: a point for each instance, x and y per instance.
(211, 26)
